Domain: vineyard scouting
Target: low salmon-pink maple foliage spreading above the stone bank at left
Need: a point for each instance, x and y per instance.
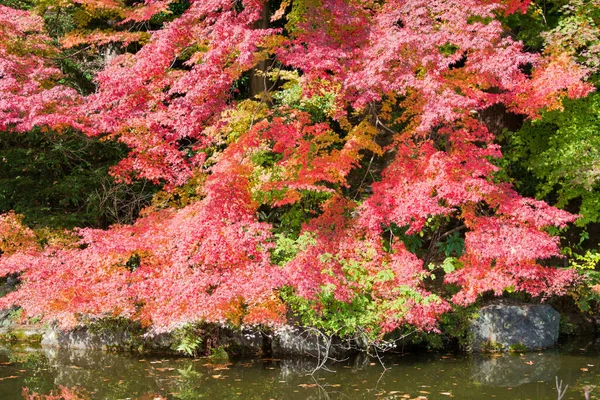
(202, 263)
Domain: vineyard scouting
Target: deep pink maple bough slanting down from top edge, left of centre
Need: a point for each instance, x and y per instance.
(151, 106)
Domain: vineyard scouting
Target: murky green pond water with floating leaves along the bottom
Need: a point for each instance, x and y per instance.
(101, 375)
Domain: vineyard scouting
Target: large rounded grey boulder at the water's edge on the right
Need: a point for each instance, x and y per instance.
(504, 327)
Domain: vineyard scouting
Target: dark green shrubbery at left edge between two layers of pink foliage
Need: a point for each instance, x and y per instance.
(61, 180)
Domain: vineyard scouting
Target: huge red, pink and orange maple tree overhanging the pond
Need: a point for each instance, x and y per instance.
(369, 135)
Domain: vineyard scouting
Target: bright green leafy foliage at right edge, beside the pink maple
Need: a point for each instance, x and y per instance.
(557, 158)
